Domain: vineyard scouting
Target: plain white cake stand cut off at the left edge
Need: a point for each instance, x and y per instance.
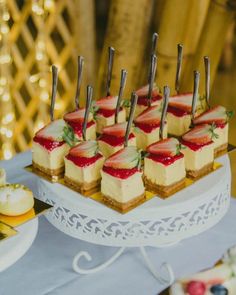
(15, 247)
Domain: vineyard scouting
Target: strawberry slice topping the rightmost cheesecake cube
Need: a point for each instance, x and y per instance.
(217, 115)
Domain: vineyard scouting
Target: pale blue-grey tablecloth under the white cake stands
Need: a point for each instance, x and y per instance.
(47, 267)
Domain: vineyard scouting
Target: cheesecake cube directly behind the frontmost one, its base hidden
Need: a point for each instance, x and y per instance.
(113, 137)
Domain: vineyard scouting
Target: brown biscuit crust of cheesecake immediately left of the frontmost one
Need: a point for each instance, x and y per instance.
(84, 188)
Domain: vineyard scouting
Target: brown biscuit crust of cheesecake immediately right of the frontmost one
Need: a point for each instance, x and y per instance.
(164, 191)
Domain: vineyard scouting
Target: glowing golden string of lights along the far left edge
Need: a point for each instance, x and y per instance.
(6, 106)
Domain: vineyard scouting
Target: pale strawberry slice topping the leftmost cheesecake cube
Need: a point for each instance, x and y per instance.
(53, 131)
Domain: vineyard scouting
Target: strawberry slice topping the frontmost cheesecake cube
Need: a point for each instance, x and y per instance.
(127, 158)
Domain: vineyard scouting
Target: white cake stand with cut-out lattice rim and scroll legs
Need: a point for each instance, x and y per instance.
(157, 223)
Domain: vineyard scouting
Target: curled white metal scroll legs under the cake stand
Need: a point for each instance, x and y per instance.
(165, 275)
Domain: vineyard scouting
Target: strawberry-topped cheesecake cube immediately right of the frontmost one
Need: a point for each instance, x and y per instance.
(164, 167)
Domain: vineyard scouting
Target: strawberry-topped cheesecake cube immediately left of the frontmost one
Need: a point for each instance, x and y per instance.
(83, 166)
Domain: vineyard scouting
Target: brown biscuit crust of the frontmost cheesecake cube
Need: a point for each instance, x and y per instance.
(124, 207)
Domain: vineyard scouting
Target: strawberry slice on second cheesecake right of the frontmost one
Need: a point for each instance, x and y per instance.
(201, 134)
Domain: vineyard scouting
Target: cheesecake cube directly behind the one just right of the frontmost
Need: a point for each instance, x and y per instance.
(147, 127)
